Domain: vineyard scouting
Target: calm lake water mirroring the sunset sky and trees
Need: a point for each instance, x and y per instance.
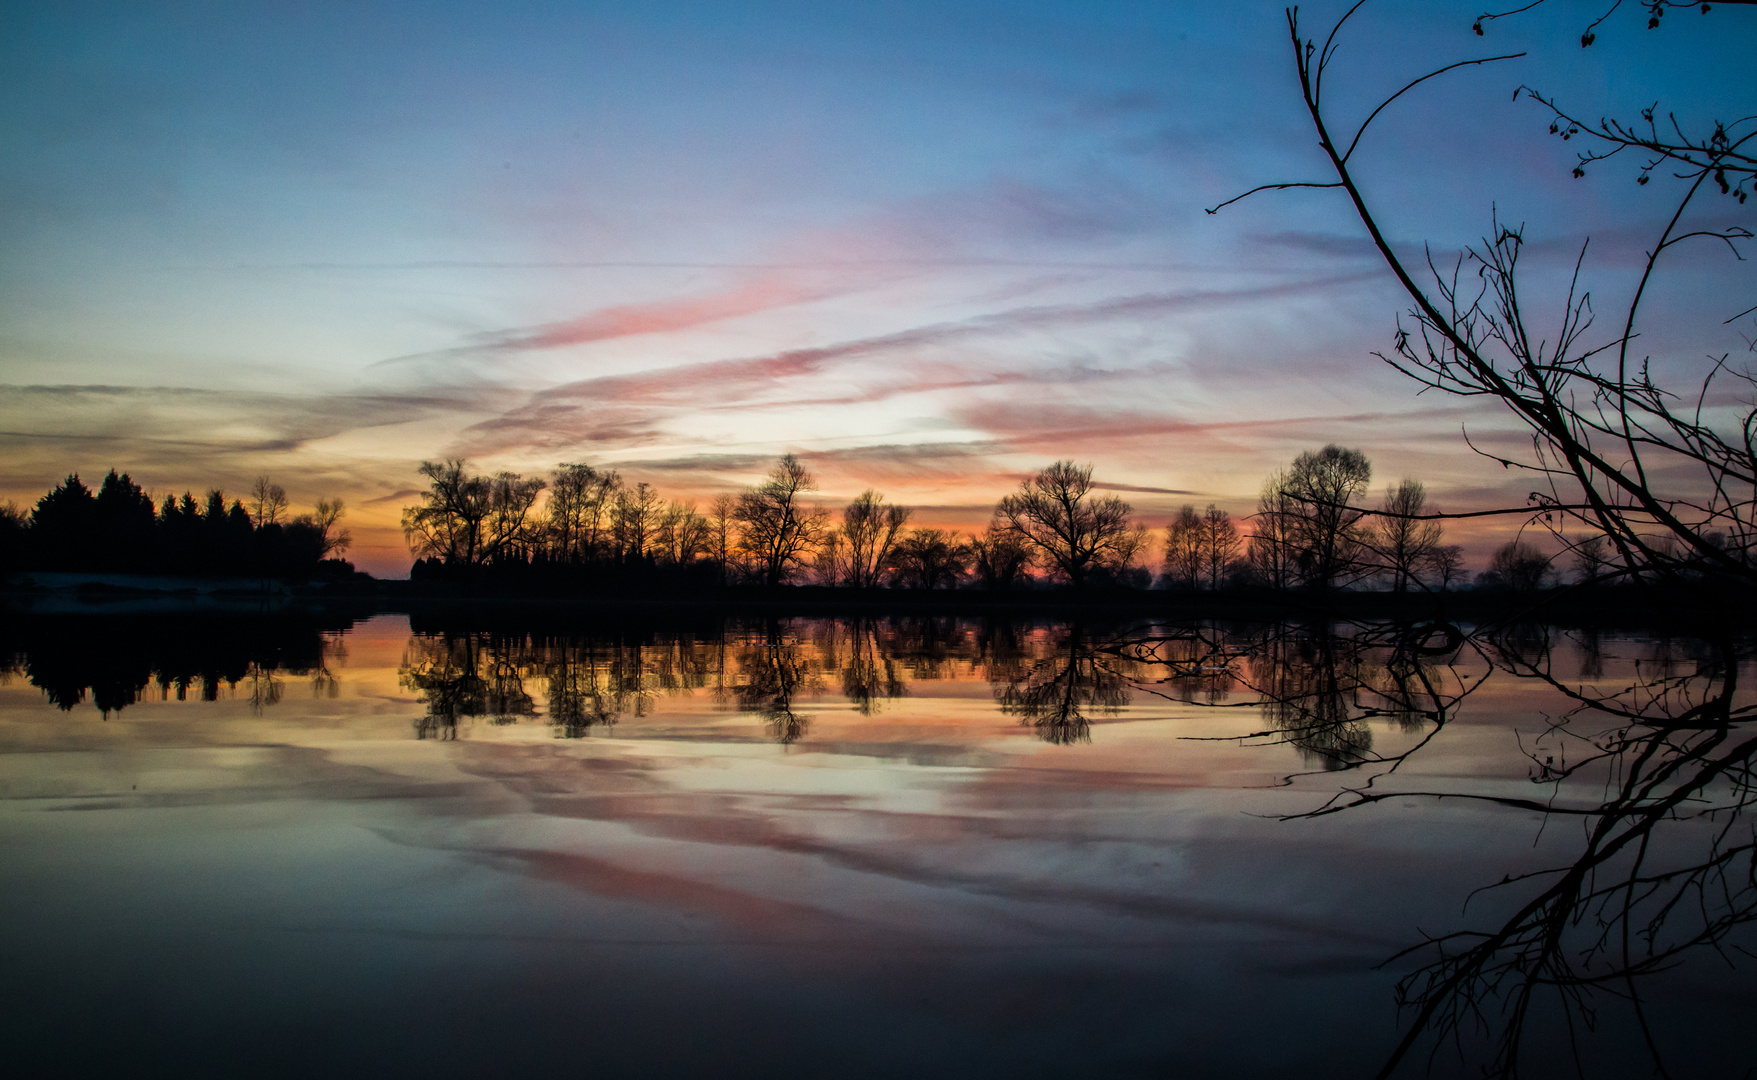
(867, 849)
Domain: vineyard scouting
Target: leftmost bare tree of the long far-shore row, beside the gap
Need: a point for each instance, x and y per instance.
(468, 521)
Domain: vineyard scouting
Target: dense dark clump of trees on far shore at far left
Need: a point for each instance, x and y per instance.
(122, 529)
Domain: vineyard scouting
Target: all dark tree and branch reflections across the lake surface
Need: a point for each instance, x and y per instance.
(1644, 744)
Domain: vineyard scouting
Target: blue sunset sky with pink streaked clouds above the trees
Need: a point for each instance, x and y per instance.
(929, 247)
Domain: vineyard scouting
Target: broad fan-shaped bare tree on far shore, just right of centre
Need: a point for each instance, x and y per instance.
(1078, 535)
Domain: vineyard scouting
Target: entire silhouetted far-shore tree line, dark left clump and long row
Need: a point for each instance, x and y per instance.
(591, 529)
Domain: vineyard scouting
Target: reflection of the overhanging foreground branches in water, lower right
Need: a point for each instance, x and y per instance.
(1659, 777)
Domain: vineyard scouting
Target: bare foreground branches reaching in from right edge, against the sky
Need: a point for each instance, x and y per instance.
(1672, 486)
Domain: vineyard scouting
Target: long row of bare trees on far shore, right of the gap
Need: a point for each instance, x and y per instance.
(591, 528)
